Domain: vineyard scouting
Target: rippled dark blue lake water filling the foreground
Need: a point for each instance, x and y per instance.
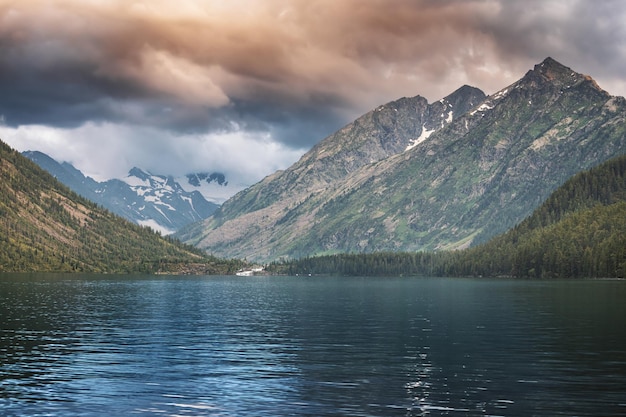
(286, 346)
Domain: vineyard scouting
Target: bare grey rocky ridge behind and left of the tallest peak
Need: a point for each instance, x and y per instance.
(346, 150)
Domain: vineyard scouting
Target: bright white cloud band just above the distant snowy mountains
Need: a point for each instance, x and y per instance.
(106, 150)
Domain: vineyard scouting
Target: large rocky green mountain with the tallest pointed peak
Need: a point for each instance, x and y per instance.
(379, 184)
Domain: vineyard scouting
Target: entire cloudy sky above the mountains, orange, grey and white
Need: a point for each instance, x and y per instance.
(246, 87)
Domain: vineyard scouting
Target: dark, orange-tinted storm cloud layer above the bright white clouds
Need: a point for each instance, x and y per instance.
(279, 56)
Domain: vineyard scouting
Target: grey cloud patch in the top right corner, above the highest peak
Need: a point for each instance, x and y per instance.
(588, 36)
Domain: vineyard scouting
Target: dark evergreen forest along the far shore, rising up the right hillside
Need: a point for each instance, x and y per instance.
(580, 231)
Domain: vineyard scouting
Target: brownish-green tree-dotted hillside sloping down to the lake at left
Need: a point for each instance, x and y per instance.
(44, 226)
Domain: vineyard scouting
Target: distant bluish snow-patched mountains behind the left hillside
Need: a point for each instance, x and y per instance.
(151, 200)
